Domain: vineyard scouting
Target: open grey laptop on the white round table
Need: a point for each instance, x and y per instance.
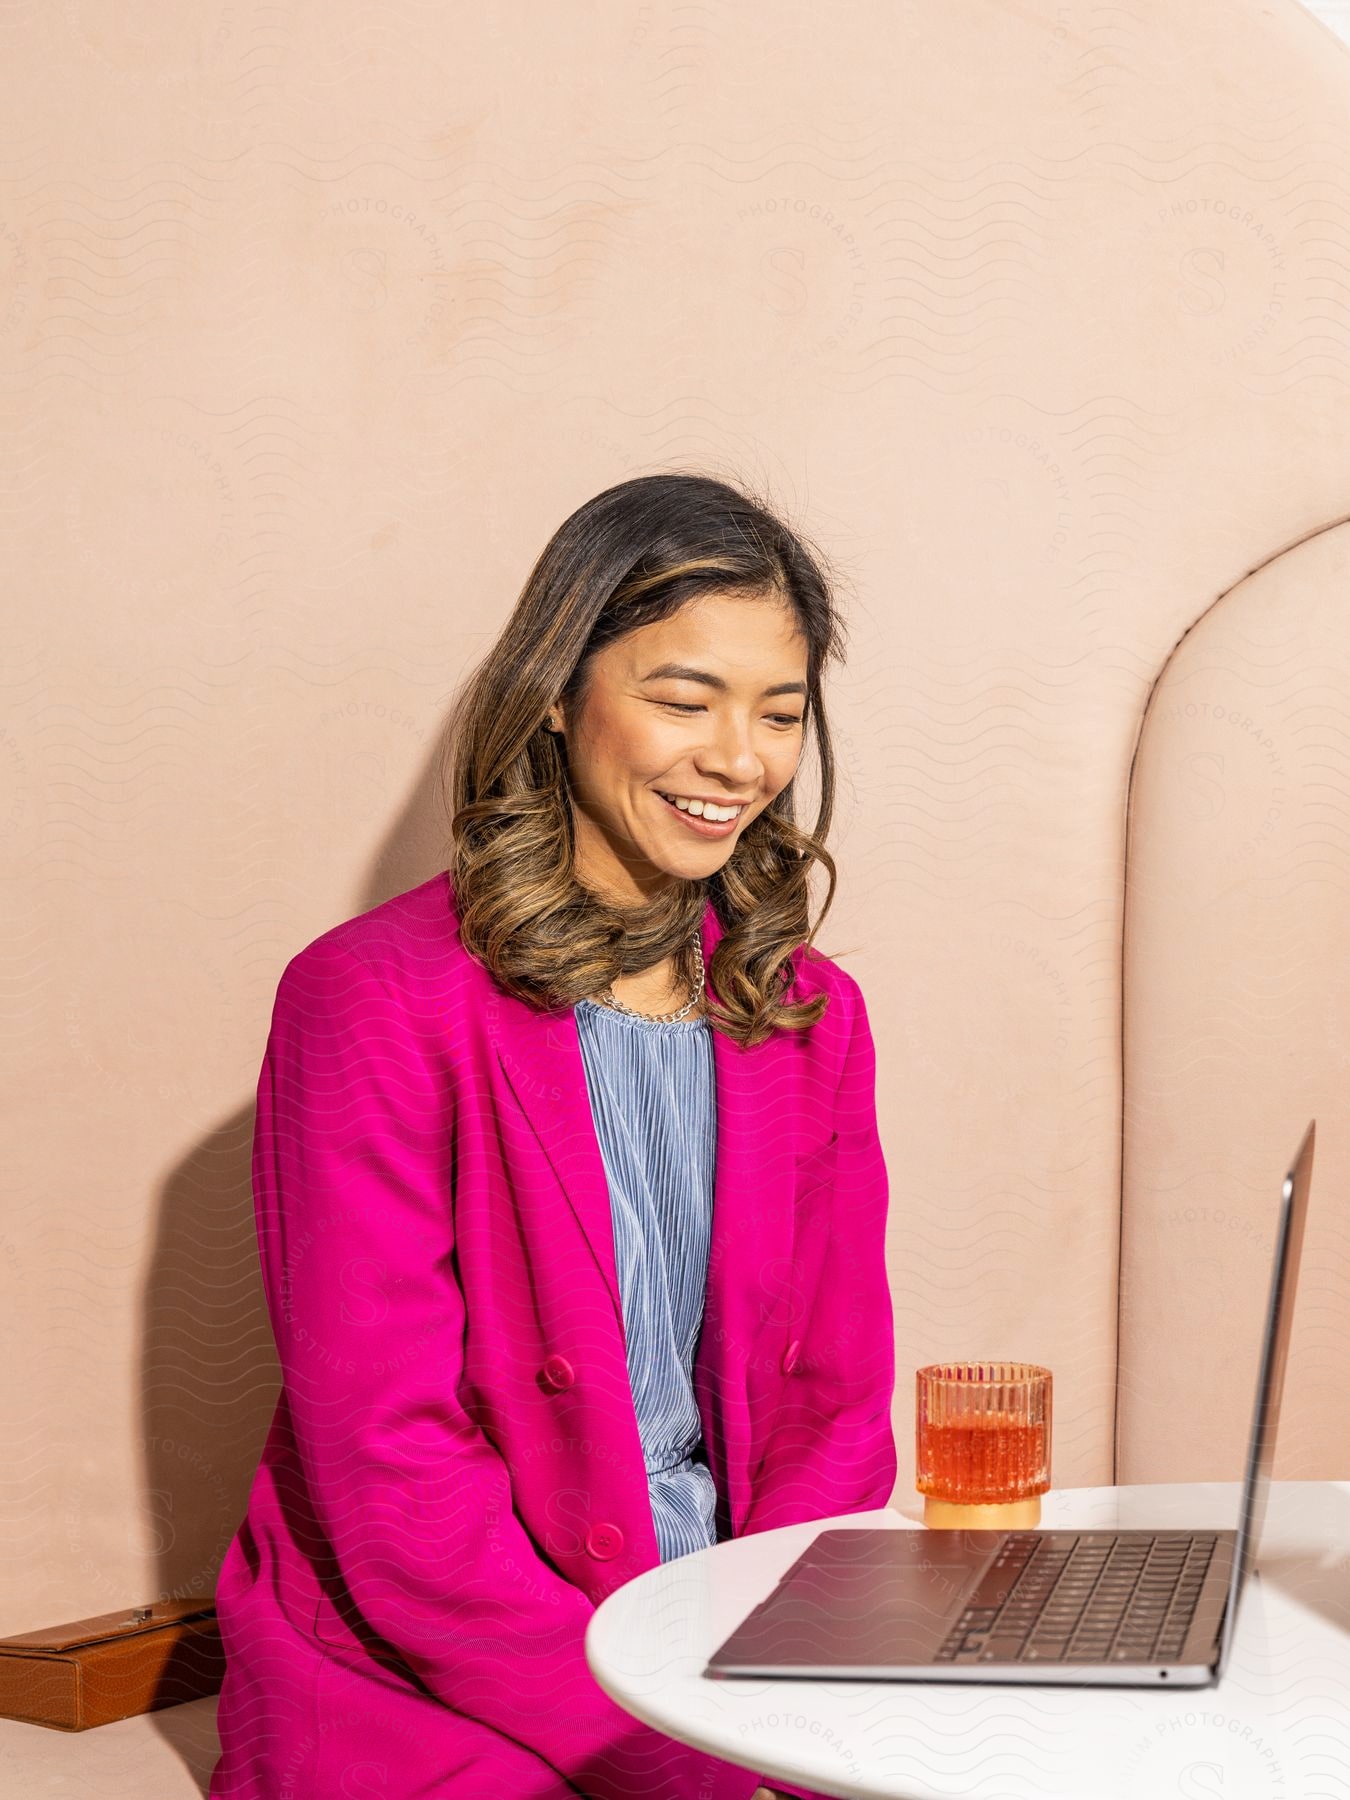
(1113, 1608)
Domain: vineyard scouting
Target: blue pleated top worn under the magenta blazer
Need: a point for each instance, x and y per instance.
(654, 1102)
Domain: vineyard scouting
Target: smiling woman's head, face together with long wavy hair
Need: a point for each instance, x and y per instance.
(629, 753)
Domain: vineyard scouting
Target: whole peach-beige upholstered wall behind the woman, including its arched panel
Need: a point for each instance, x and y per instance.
(316, 323)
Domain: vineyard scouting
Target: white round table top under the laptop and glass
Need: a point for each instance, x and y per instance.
(1275, 1729)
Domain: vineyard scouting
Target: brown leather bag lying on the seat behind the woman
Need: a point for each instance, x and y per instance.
(111, 1668)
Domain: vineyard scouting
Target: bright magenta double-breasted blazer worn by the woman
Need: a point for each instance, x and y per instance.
(454, 1479)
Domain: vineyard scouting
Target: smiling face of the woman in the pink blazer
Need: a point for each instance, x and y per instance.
(703, 706)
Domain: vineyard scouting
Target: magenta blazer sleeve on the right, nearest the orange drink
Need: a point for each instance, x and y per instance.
(832, 1444)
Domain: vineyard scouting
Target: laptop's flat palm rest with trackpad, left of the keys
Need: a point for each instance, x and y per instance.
(867, 1597)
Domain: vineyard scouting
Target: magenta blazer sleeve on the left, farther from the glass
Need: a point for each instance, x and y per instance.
(355, 1223)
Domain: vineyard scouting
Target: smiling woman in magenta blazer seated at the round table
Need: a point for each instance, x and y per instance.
(570, 1194)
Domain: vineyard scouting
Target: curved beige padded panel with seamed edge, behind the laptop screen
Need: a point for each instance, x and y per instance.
(1237, 1025)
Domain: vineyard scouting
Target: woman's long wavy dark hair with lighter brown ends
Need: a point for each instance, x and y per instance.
(631, 557)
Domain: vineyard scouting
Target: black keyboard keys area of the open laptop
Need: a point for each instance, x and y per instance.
(1108, 1601)
